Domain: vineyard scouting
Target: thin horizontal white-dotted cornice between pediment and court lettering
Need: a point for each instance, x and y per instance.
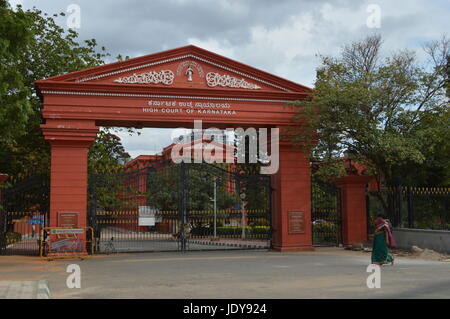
(164, 96)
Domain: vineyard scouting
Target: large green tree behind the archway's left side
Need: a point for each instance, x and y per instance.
(33, 47)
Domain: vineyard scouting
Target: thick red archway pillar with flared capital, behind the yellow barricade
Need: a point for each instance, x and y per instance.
(70, 142)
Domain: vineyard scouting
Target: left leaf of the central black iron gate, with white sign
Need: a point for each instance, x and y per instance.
(122, 218)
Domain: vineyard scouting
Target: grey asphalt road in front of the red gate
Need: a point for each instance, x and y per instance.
(324, 273)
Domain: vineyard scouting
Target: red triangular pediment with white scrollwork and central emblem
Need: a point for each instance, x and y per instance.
(185, 67)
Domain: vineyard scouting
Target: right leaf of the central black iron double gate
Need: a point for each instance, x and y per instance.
(241, 209)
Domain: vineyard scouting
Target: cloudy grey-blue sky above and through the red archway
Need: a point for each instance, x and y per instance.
(282, 37)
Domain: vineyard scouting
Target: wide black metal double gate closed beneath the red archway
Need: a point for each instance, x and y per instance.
(179, 207)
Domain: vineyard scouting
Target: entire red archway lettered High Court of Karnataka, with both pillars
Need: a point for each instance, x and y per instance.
(172, 89)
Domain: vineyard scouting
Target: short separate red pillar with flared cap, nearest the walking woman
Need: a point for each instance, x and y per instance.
(354, 215)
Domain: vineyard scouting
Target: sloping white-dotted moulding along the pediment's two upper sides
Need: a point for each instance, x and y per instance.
(96, 77)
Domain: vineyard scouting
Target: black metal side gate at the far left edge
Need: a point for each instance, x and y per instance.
(24, 211)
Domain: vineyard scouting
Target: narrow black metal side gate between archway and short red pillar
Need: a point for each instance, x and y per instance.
(326, 213)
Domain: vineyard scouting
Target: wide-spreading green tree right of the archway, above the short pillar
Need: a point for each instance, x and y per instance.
(389, 113)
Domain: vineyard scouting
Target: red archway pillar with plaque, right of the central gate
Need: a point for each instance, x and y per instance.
(292, 201)
